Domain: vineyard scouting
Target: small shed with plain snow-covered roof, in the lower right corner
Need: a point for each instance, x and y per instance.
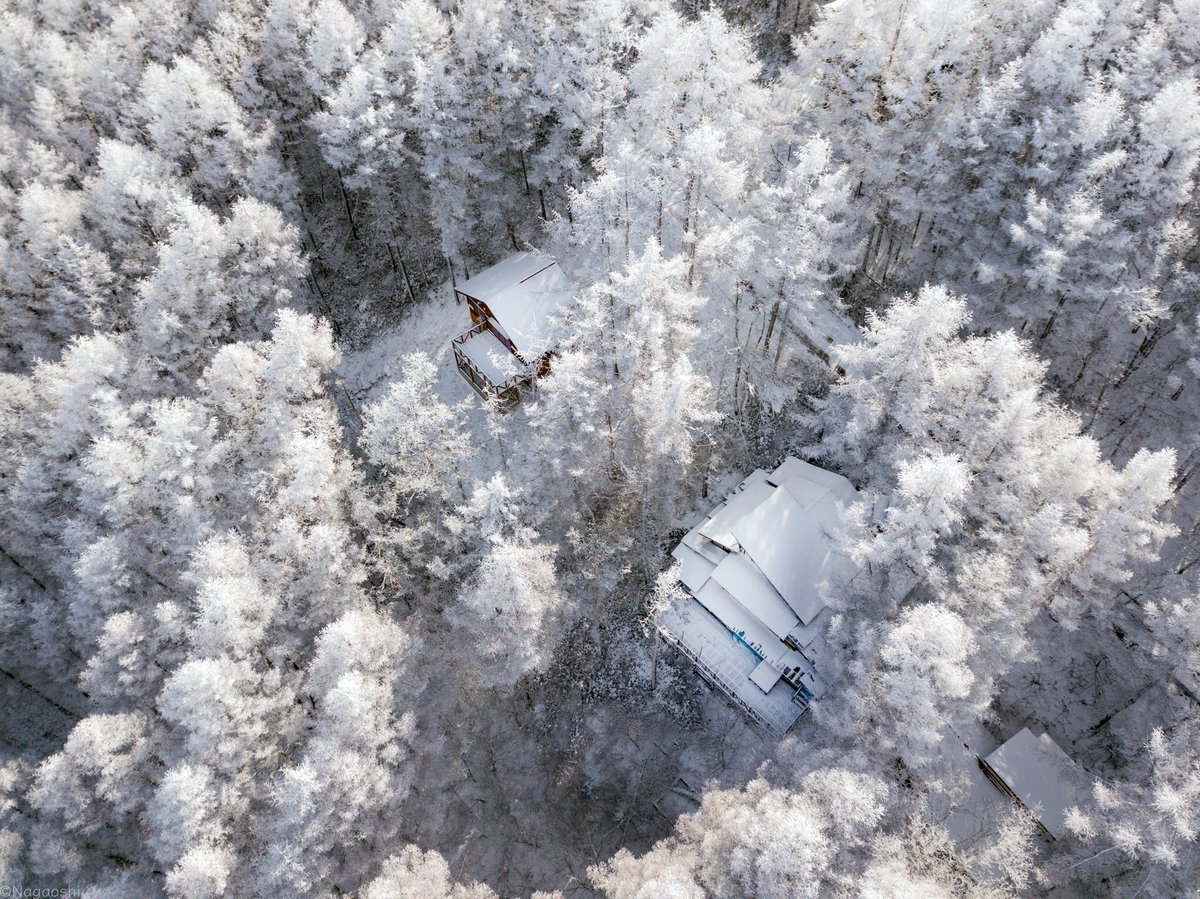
(1036, 772)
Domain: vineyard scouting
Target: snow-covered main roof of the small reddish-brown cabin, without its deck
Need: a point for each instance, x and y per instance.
(525, 293)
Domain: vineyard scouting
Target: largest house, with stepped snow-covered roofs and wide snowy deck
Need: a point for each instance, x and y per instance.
(754, 572)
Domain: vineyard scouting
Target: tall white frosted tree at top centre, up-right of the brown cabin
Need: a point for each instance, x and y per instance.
(674, 169)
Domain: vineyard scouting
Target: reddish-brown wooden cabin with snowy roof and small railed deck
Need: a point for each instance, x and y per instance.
(514, 307)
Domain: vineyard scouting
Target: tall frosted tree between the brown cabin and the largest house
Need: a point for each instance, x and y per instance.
(631, 359)
